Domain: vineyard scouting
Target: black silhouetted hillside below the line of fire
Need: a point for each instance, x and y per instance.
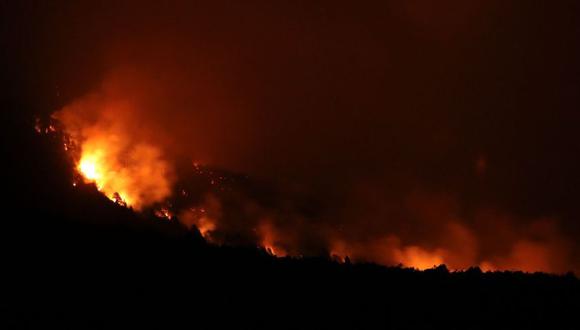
(74, 259)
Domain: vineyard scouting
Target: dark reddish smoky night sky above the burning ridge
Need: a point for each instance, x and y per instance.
(366, 105)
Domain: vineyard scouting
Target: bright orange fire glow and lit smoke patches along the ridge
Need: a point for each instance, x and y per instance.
(110, 149)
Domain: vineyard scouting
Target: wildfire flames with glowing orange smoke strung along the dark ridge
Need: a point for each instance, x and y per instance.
(127, 166)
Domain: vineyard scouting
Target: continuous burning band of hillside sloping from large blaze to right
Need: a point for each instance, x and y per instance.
(110, 151)
